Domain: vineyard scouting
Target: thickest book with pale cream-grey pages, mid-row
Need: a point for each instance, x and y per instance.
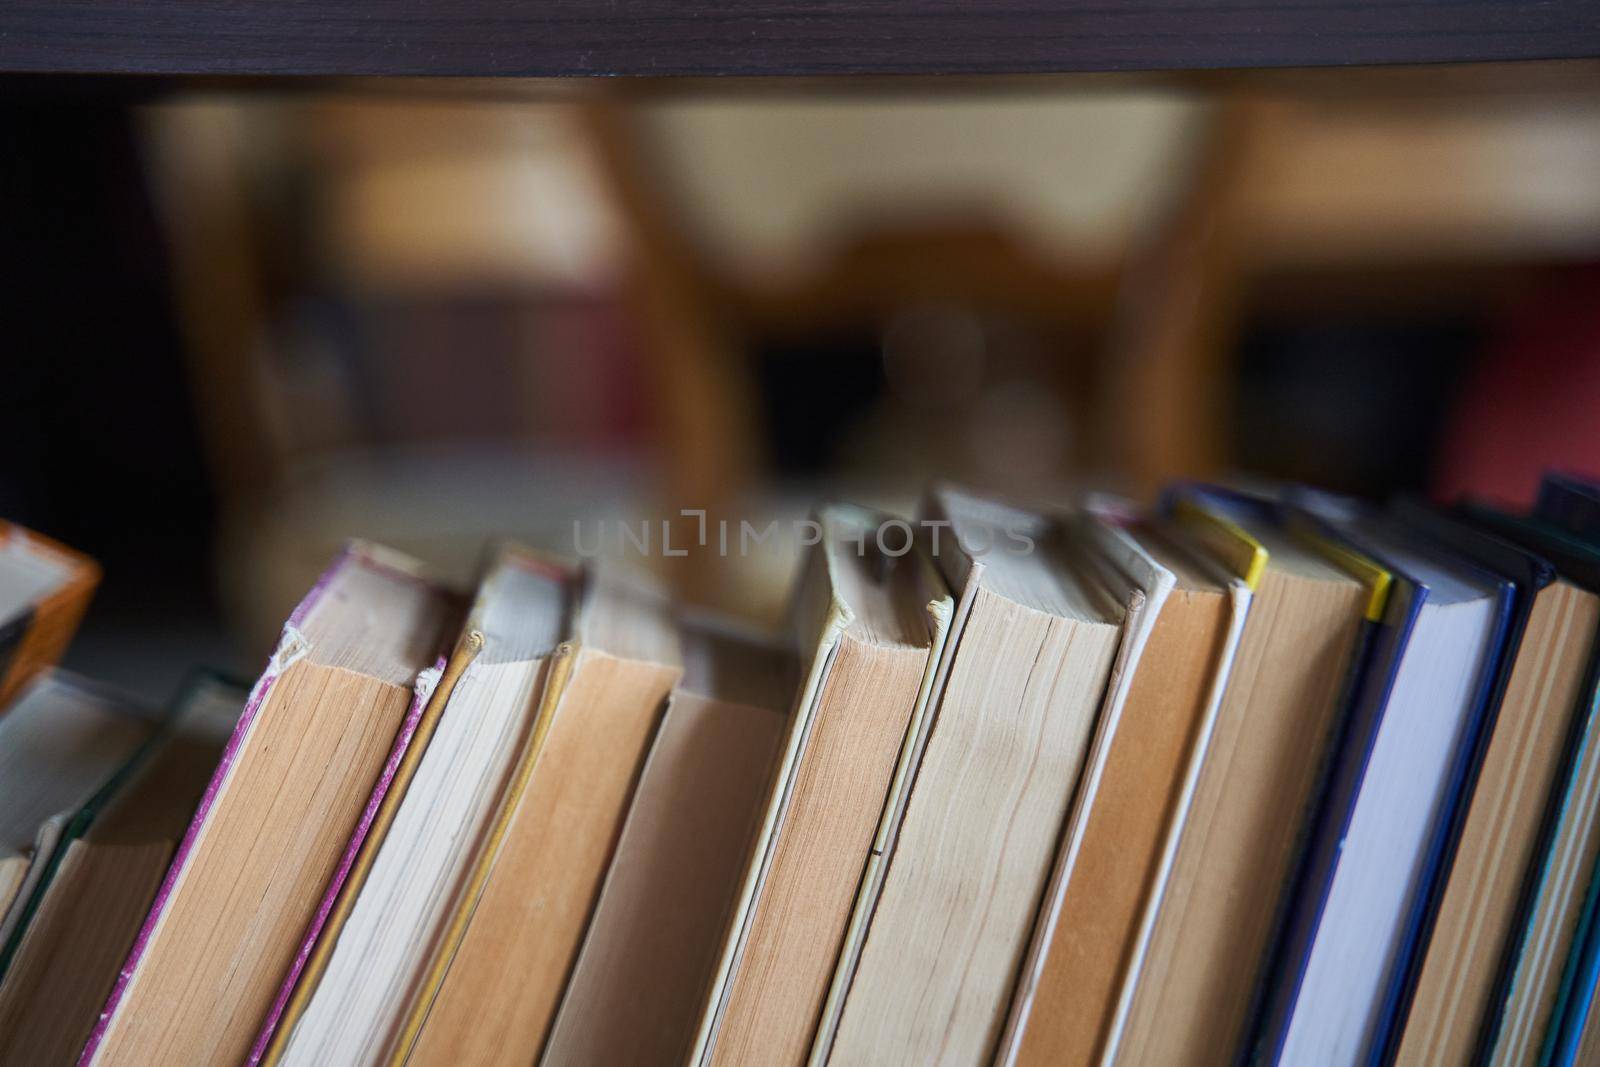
(1023, 677)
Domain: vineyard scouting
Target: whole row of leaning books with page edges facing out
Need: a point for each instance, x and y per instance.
(1278, 778)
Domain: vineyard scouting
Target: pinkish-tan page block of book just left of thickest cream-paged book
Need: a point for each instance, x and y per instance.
(791, 945)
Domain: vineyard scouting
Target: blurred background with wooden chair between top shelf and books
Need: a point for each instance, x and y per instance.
(244, 324)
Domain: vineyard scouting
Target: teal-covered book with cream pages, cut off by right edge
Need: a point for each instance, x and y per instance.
(1524, 1005)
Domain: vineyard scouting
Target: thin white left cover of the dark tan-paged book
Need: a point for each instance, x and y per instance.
(1146, 586)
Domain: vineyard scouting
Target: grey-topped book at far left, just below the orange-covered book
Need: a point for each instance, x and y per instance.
(63, 749)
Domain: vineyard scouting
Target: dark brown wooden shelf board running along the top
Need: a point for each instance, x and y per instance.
(772, 38)
